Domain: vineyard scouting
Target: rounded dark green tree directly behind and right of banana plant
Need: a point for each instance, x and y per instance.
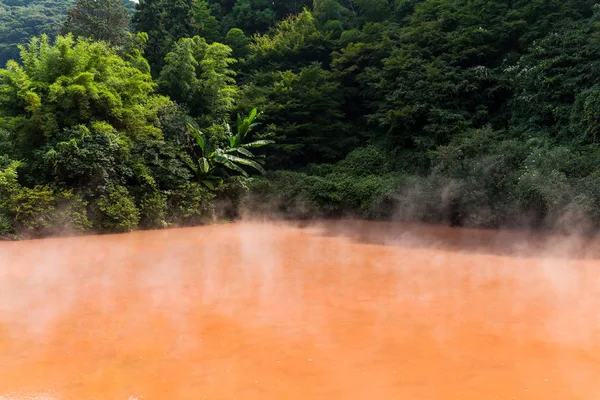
(303, 113)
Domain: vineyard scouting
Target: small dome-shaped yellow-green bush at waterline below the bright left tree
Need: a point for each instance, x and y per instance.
(118, 210)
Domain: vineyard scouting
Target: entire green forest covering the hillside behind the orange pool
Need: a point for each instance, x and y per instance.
(116, 116)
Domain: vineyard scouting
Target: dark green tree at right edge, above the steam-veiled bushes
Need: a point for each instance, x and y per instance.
(554, 83)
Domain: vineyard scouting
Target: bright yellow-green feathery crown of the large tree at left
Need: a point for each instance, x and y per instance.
(70, 83)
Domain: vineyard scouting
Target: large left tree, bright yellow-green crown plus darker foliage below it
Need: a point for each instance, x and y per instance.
(74, 111)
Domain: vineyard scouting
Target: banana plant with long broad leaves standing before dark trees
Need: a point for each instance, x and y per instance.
(234, 156)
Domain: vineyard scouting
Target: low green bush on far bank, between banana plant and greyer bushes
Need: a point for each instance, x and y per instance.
(328, 191)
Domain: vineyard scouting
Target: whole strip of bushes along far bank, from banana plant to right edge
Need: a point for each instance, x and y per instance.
(480, 179)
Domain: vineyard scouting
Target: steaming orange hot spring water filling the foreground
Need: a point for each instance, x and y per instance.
(263, 311)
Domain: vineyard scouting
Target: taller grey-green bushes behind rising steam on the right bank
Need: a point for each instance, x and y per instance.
(482, 179)
